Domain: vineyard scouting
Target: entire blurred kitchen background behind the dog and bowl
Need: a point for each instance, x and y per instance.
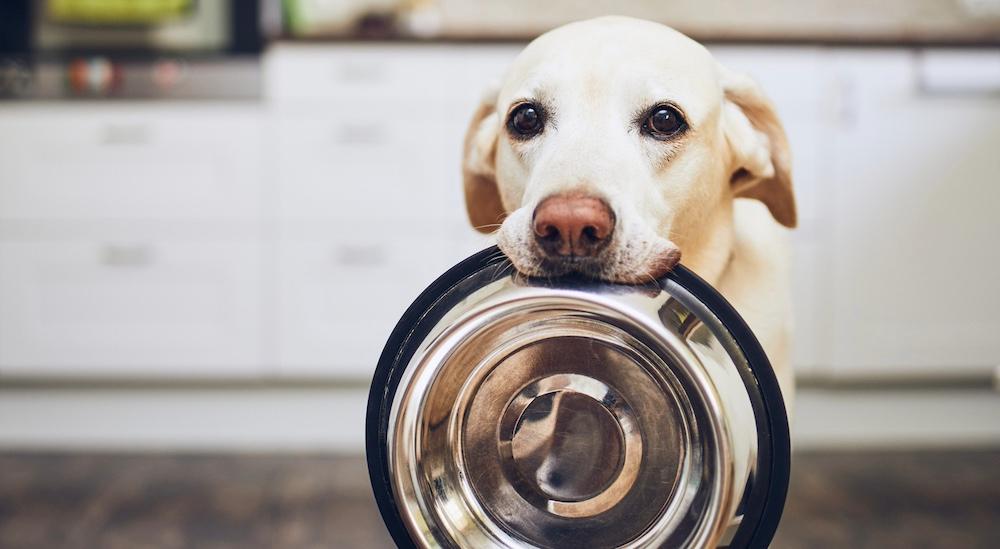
(213, 212)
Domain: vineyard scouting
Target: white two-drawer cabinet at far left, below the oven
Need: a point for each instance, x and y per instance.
(130, 240)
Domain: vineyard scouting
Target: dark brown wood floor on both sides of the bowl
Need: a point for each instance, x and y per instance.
(851, 500)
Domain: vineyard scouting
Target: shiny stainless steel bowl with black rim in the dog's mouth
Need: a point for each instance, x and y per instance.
(515, 412)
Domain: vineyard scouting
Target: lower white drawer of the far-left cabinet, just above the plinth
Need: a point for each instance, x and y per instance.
(132, 308)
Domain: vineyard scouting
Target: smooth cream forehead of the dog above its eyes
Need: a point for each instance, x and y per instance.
(610, 57)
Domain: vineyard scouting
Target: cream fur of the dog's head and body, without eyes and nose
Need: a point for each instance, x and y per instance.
(717, 193)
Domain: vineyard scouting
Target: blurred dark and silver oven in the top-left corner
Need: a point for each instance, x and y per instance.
(142, 49)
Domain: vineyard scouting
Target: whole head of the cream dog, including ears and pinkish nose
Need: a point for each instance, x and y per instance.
(612, 145)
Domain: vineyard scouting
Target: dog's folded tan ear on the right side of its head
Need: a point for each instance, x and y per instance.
(762, 166)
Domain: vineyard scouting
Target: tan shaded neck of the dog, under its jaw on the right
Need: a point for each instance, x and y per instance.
(708, 250)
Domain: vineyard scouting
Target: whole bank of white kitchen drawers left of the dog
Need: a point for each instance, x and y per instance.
(223, 240)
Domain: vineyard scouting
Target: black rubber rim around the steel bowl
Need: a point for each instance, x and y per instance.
(766, 500)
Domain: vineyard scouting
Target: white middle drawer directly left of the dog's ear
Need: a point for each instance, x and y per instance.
(361, 167)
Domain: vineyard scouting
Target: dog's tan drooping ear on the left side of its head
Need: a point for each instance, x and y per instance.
(482, 196)
